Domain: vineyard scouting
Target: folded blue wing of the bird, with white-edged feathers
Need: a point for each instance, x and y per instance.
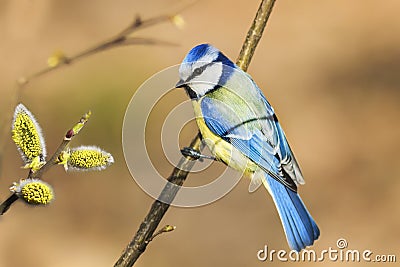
(258, 136)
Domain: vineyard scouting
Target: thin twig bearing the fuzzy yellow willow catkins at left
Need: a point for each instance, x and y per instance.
(51, 162)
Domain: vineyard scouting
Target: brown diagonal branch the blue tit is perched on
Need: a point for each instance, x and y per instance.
(141, 239)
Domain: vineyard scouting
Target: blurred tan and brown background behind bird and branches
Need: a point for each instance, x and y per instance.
(330, 69)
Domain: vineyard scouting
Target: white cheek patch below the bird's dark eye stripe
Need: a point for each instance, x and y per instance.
(207, 80)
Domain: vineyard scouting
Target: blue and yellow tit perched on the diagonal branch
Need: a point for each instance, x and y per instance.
(240, 127)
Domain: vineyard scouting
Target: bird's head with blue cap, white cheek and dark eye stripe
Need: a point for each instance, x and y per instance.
(204, 69)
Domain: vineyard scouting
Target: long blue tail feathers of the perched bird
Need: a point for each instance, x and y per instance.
(300, 228)
